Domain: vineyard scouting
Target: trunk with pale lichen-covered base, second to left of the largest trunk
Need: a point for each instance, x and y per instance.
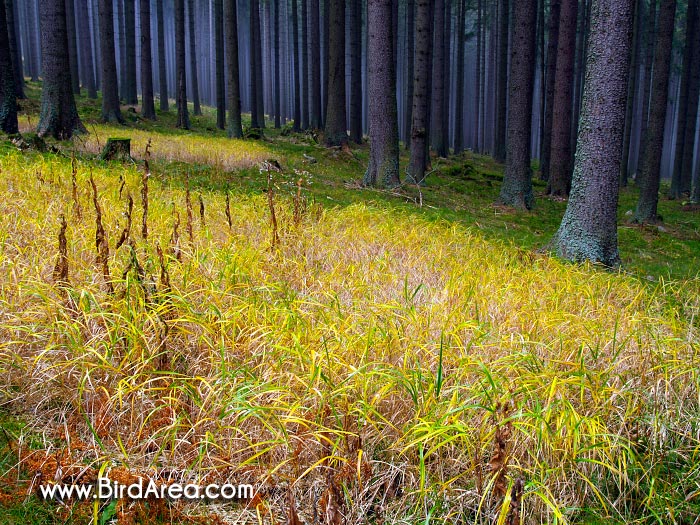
(516, 190)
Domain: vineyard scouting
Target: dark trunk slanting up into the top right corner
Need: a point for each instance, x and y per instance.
(686, 114)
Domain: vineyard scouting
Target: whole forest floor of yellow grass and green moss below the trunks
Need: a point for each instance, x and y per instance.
(407, 356)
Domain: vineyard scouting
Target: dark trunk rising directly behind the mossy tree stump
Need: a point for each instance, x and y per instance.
(110, 87)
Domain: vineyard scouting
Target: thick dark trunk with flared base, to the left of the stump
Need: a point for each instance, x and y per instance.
(59, 115)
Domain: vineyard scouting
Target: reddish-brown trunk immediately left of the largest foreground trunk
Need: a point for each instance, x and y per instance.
(561, 160)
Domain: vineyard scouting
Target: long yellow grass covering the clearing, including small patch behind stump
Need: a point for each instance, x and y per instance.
(373, 348)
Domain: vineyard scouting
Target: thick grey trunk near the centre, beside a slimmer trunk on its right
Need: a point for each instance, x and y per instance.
(383, 114)
